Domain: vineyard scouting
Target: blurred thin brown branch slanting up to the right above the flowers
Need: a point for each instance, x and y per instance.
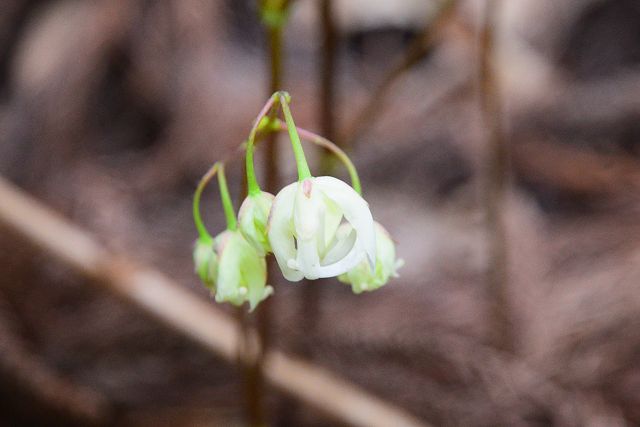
(417, 50)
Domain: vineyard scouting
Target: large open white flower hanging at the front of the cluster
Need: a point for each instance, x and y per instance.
(305, 234)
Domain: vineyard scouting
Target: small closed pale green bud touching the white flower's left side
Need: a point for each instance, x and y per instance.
(253, 217)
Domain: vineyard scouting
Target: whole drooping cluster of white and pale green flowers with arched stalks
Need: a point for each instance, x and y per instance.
(316, 227)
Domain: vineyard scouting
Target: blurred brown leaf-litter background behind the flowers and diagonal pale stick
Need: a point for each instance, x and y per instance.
(497, 141)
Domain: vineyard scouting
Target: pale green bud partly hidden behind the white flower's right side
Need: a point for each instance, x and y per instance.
(362, 278)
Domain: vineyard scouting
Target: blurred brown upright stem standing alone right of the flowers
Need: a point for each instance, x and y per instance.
(495, 185)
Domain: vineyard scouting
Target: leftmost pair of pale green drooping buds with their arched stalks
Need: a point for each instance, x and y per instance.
(228, 265)
